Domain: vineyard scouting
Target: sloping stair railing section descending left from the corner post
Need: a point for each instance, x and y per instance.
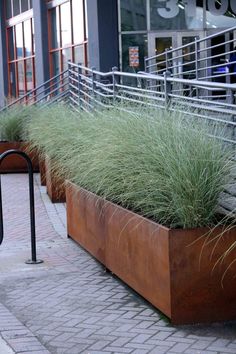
(52, 90)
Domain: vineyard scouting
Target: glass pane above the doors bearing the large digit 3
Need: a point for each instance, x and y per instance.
(166, 15)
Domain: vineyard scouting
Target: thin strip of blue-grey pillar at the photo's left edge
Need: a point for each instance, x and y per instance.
(3, 57)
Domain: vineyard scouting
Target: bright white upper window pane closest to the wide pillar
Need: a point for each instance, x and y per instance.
(78, 21)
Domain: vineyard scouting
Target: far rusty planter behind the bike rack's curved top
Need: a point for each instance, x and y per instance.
(16, 163)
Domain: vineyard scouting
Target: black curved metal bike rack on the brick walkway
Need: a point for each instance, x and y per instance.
(33, 259)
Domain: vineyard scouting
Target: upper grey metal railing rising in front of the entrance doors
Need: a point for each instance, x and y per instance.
(208, 58)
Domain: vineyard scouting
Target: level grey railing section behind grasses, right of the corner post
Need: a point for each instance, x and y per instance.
(91, 90)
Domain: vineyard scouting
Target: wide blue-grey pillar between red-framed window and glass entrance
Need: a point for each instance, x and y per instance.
(103, 41)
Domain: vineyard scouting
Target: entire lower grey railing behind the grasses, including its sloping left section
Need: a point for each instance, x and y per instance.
(92, 91)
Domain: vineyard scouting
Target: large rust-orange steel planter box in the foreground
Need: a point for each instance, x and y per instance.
(161, 264)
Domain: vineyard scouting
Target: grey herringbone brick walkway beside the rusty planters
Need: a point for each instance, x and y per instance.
(69, 304)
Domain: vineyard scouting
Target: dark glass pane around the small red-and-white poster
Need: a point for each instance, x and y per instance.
(128, 41)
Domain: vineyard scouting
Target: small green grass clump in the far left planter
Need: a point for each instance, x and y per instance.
(13, 122)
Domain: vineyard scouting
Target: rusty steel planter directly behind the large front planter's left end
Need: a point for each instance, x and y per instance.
(55, 186)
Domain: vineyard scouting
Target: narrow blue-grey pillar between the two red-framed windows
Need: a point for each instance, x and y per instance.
(41, 42)
